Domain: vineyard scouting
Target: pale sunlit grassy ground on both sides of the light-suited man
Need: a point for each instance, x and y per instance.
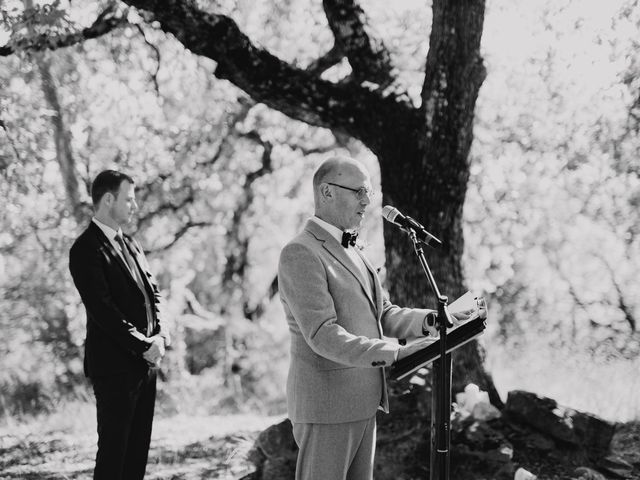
(189, 442)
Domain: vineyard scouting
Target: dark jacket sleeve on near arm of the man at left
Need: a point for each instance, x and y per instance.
(87, 271)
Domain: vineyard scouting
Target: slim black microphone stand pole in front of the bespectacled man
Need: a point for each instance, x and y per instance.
(441, 379)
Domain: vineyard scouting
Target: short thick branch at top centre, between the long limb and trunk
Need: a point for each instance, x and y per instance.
(368, 56)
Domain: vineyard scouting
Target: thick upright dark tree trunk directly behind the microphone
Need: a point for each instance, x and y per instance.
(425, 173)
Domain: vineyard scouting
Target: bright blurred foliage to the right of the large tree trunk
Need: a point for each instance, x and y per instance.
(552, 216)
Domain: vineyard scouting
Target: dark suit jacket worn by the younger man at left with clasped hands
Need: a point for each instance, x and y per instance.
(117, 333)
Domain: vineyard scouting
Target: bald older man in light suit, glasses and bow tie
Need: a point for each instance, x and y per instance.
(337, 316)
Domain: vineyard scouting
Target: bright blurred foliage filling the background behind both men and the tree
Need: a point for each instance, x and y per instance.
(551, 217)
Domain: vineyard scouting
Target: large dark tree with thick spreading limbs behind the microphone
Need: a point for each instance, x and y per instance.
(422, 150)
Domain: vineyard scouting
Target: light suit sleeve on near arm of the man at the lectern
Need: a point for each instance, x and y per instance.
(304, 289)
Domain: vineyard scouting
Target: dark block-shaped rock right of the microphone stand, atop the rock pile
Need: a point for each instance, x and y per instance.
(564, 424)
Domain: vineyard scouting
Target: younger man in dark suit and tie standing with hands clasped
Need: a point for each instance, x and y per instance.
(125, 337)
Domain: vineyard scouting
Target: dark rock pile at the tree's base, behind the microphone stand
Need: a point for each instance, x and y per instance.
(532, 431)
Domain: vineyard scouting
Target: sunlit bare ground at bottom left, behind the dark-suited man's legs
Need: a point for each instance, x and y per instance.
(182, 448)
